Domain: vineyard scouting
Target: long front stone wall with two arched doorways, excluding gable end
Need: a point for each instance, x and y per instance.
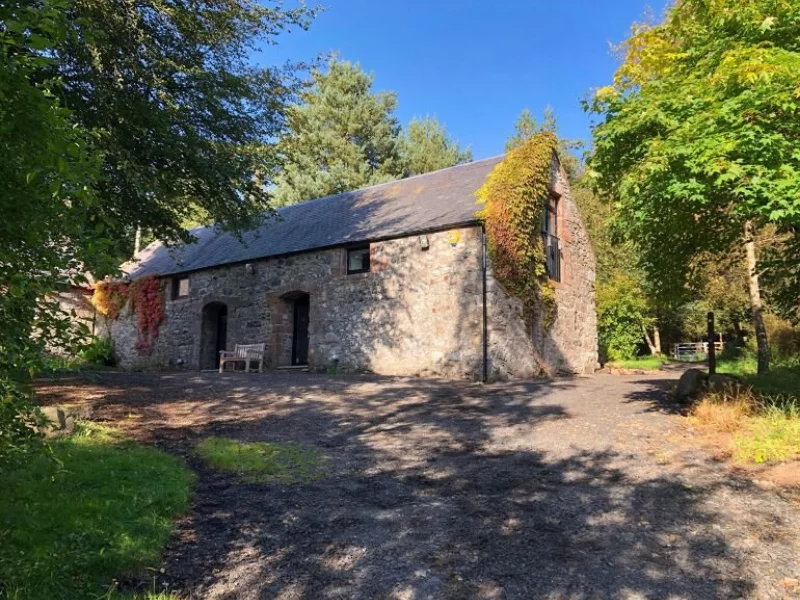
(417, 312)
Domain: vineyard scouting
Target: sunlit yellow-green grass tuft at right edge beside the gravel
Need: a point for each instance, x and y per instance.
(771, 436)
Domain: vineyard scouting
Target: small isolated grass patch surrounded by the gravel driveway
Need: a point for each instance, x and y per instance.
(261, 462)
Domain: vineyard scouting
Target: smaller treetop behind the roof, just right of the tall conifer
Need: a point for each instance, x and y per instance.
(426, 147)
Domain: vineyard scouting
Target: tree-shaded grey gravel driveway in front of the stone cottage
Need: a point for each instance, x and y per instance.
(574, 488)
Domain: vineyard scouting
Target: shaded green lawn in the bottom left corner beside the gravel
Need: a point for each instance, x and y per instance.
(67, 532)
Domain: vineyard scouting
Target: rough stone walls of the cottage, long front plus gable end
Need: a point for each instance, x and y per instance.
(419, 311)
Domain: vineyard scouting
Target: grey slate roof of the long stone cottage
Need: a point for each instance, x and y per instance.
(428, 202)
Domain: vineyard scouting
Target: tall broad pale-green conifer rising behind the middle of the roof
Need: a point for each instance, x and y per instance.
(341, 136)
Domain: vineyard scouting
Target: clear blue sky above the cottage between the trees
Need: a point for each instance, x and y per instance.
(475, 64)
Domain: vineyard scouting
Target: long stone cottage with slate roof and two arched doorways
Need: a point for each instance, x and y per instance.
(392, 279)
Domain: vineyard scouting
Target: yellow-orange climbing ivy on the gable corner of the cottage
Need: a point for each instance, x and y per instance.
(514, 196)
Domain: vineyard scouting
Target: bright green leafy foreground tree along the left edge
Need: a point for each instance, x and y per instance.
(47, 175)
